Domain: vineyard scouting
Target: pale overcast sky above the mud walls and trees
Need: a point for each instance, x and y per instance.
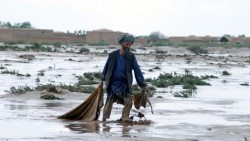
(138, 17)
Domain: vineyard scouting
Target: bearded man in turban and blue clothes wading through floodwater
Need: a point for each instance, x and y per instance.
(117, 74)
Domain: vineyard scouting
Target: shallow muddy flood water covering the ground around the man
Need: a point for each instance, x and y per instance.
(216, 112)
